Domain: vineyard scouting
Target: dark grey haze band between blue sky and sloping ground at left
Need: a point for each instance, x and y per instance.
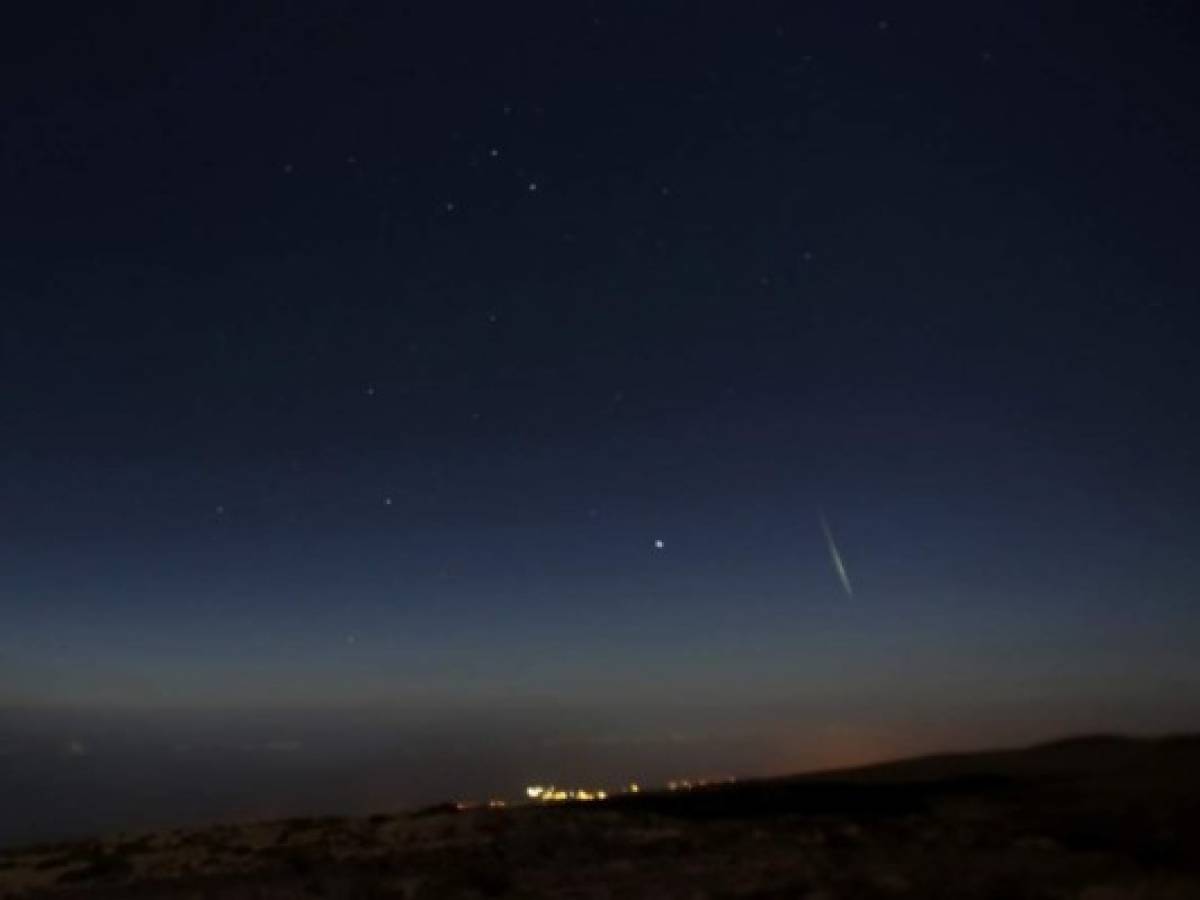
(68, 775)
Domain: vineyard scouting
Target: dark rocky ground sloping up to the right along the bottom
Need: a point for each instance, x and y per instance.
(1097, 819)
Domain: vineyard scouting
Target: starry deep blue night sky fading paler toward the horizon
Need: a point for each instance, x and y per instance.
(508, 357)
